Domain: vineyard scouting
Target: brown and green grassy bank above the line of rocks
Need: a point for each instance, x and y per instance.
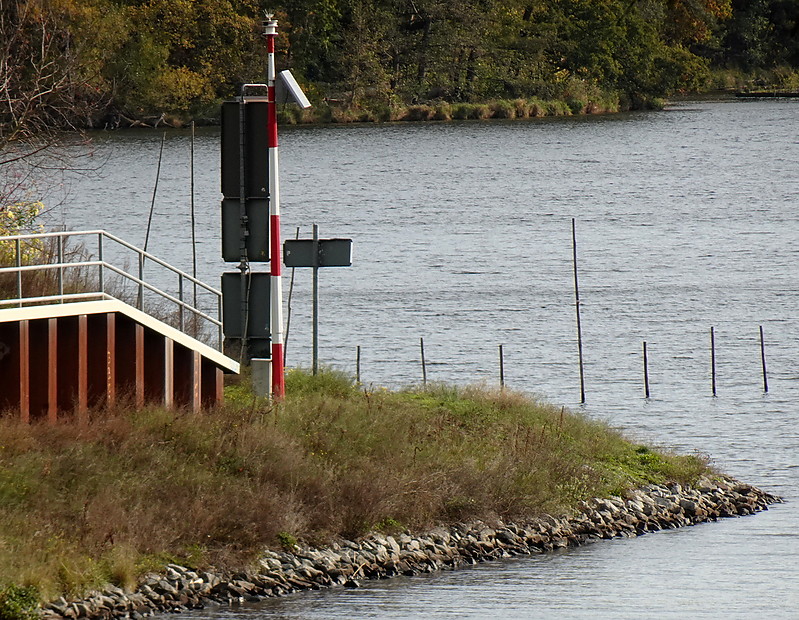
(137, 489)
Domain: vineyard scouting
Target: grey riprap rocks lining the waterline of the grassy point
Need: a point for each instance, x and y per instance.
(649, 509)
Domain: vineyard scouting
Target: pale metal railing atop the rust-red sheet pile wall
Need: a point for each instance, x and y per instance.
(82, 252)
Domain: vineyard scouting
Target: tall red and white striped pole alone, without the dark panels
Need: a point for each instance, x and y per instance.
(275, 254)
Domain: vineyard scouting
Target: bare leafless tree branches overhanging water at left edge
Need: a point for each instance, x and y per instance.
(42, 104)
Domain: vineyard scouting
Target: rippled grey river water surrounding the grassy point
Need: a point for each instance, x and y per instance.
(686, 219)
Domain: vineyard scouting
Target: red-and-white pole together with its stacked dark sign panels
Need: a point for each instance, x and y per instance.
(253, 317)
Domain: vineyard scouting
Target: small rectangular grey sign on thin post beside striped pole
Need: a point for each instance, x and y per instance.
(317, 253)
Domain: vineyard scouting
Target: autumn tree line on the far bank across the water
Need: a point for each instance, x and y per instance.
(79, 63)
